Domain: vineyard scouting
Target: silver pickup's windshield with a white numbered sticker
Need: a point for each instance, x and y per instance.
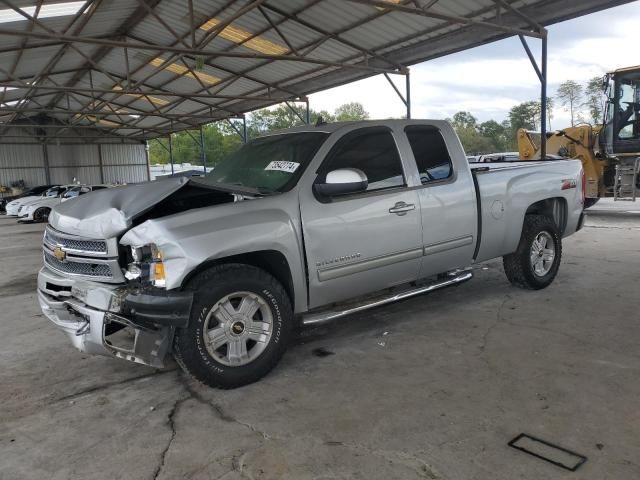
(269, 164)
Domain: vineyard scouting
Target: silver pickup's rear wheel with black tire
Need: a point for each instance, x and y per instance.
(524, 268)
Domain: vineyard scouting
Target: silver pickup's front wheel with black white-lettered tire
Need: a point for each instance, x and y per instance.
(228, 288)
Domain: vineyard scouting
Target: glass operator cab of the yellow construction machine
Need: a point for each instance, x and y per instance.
(620, 135)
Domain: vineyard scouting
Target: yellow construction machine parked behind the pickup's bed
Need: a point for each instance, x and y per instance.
(610, 153)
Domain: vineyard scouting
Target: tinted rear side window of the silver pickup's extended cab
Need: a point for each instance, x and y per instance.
(431, 154)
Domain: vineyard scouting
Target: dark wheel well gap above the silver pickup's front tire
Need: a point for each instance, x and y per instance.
(271, 261)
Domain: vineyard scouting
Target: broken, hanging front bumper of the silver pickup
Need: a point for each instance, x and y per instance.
(109, 320)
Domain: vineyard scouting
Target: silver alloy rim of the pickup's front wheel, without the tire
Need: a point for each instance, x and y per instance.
(238, 328)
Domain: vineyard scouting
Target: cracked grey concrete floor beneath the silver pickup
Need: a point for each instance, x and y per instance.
(433, 387)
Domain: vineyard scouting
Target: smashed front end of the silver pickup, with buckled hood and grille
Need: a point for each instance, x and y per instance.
(112, 271)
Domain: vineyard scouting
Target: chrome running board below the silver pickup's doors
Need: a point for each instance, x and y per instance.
(328, 315)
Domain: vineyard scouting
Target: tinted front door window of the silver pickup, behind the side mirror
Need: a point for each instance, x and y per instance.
(371, 150)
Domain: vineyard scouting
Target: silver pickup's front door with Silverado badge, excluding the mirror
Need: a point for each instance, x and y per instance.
(360, 243)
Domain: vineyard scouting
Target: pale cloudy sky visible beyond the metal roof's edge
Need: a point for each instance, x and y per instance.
(488, 80)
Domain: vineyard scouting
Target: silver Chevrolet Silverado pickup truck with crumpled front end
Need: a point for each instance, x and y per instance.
(298, 227)
